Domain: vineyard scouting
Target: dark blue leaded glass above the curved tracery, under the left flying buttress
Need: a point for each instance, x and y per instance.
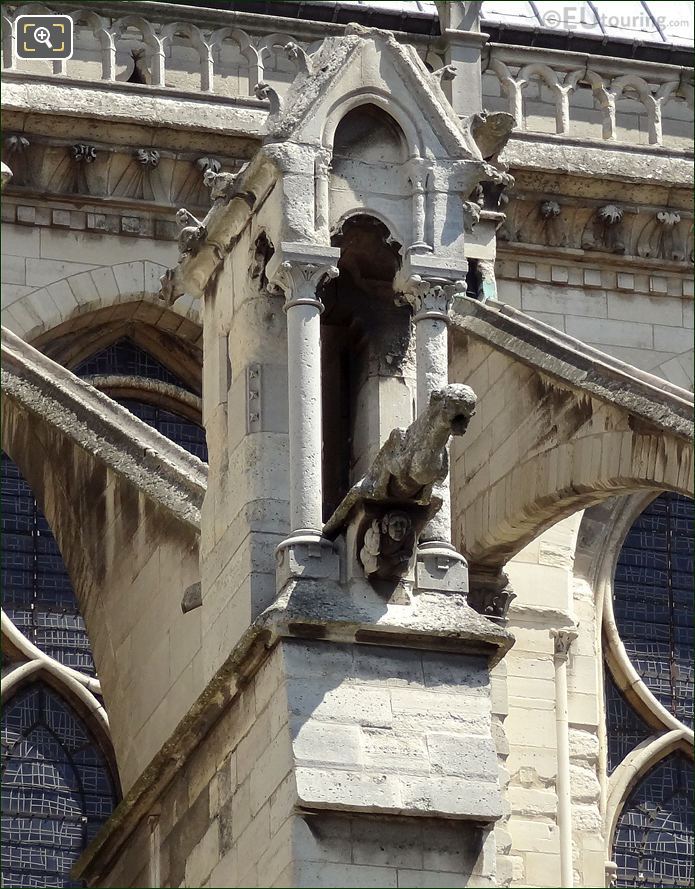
(37, 593)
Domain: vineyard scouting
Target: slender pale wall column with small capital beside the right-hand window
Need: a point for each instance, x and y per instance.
(562, 640)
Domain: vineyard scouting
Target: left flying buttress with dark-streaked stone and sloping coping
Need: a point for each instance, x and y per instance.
(117, 494)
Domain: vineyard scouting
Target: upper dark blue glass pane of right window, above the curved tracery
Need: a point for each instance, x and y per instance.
(653, 601)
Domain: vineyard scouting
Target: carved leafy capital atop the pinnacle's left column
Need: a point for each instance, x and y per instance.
(297, 270)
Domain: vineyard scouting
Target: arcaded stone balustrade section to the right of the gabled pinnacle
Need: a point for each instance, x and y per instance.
(617, 87)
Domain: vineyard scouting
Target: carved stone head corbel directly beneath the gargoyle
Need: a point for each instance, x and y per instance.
(382, 538)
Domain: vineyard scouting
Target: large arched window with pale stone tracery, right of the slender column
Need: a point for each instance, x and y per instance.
(652, 610)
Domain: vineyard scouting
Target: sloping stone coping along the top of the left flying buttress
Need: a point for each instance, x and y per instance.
(164, 472)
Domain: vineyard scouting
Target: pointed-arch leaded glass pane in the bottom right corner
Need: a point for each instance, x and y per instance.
(654, 836)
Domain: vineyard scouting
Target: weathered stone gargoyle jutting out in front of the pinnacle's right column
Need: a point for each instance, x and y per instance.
(415, 459)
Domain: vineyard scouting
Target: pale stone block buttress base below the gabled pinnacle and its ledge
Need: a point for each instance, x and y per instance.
(301, 781)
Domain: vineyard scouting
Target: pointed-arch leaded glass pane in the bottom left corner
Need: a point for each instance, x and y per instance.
(56, 787)
